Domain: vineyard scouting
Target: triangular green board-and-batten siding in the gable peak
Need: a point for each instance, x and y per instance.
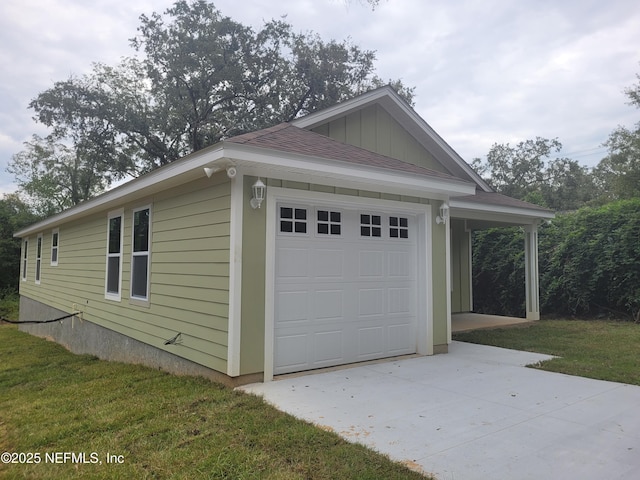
(373, 129)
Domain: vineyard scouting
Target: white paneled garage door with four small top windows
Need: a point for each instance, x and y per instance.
(345, 287)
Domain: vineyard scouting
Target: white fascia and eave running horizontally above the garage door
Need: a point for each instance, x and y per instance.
(309, 169)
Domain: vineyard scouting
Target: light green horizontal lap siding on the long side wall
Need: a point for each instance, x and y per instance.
(189, 272)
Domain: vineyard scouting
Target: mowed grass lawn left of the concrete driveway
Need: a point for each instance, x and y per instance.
(154, 425)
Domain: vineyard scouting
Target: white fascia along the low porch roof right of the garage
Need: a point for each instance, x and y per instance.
(499, 213)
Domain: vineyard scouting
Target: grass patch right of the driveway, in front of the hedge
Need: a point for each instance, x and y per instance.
(605, 350)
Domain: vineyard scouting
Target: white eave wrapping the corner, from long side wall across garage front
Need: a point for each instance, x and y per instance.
(257, 161)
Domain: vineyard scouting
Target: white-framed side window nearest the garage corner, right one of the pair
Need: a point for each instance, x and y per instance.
(141, 247)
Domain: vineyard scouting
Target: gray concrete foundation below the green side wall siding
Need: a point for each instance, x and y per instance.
(84, 337)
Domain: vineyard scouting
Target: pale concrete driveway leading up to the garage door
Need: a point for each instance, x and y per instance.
(474, 413)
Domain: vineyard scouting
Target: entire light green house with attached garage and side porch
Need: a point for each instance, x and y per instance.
(325, 241)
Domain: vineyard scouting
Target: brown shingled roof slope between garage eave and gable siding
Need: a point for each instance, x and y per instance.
(288, 138)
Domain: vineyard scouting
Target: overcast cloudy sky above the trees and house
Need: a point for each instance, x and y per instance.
(484, 71)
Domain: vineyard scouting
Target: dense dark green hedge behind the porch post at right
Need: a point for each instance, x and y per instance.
(589, 264)
